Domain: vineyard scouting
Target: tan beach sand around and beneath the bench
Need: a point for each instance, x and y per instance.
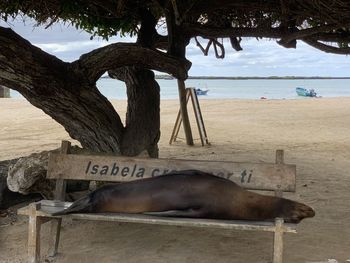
(315, 134)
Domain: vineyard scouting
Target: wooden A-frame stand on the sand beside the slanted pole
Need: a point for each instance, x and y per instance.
(191, 93)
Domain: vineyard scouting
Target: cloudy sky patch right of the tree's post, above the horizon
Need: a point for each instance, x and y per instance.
(267, 58)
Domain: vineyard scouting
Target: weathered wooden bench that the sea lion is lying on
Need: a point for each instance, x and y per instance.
(277, 177)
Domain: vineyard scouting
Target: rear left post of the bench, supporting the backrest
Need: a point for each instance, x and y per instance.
(60, 192)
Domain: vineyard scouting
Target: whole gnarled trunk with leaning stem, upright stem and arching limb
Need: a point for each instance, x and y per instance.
(68, 93)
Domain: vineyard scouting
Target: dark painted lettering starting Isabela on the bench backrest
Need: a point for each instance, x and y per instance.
(139, 171)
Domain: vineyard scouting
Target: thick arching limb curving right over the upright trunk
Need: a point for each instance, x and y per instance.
(95, 63)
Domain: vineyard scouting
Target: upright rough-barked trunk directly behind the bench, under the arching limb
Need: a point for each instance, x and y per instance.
(142, 126)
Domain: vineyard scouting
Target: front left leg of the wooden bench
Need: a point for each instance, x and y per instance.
(34, 234)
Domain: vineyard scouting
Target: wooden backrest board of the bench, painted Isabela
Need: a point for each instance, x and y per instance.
(259, 176)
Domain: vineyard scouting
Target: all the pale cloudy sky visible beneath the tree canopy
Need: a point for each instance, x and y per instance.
(261, 58)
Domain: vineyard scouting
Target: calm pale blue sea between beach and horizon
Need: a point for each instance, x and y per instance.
(234, 89)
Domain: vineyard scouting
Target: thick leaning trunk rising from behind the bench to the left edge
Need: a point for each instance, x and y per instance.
(67, 96)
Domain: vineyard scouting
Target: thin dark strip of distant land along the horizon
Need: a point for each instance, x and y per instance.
(168, 77)
